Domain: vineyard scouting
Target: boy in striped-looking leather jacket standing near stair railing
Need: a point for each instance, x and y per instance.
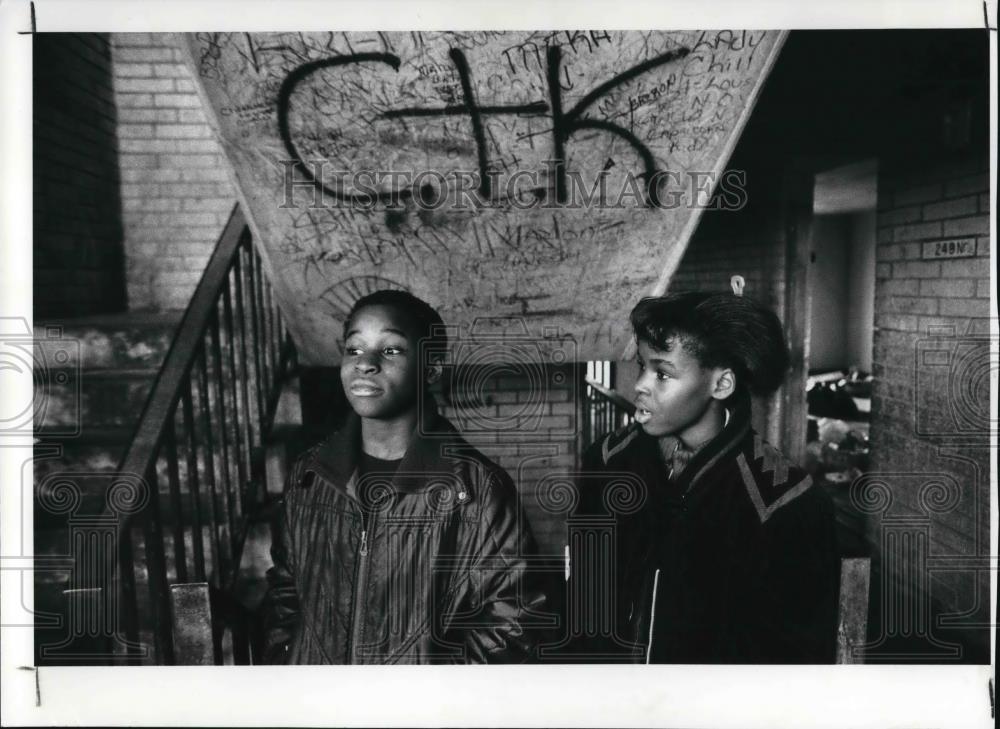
(399, 542)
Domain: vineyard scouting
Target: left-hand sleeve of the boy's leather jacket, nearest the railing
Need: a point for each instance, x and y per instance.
(281, 609)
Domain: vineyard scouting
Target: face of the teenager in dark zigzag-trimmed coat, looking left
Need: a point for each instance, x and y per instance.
(673, 392)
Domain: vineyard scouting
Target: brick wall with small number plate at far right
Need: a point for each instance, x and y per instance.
(930, 405)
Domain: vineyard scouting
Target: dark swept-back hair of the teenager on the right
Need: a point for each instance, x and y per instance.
(719, 330)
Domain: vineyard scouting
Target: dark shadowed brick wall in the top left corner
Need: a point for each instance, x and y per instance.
(78, 263)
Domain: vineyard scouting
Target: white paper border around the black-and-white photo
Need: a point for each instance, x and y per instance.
(693, 696)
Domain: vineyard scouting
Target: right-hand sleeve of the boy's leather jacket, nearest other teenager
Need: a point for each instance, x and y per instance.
(512, 594)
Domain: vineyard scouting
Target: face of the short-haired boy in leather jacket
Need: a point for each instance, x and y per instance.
(380, 370)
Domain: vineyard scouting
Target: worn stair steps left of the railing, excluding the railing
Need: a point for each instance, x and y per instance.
(95, 376)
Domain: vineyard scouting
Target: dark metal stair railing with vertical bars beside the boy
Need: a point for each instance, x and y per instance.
(198, 448)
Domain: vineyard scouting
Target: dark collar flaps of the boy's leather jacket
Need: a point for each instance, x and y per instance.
(337, 457)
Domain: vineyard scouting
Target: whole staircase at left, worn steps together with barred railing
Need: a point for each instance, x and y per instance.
(158, 441)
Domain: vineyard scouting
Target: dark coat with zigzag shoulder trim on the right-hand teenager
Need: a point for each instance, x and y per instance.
(741, 549)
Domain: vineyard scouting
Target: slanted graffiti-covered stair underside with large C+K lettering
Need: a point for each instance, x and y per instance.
(504, 177)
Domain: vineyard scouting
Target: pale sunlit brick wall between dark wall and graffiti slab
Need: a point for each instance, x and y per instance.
(175, 186)
